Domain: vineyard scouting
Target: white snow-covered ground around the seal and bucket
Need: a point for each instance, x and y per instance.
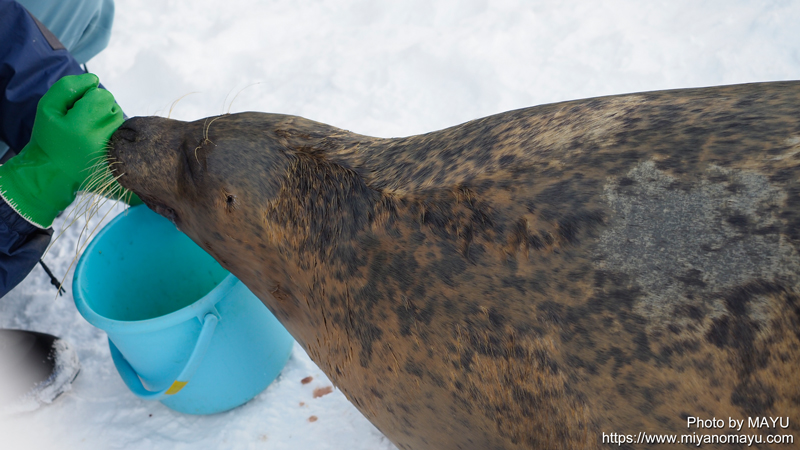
(383, 68)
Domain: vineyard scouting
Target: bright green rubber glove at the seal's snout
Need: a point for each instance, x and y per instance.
(74, 120)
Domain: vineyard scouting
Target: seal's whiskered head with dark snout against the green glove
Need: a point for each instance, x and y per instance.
(193, 174)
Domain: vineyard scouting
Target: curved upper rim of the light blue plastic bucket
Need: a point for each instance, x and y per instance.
(198, 309)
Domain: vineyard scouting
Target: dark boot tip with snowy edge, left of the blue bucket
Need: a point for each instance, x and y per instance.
(35, 368)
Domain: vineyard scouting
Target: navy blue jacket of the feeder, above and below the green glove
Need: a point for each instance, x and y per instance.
(31, 60)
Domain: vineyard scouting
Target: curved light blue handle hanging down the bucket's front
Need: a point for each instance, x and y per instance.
(131, 379)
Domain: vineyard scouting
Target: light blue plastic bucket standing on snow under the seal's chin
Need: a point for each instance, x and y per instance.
(181, 329)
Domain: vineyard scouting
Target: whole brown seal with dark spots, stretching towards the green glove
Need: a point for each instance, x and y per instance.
(564, 276)
